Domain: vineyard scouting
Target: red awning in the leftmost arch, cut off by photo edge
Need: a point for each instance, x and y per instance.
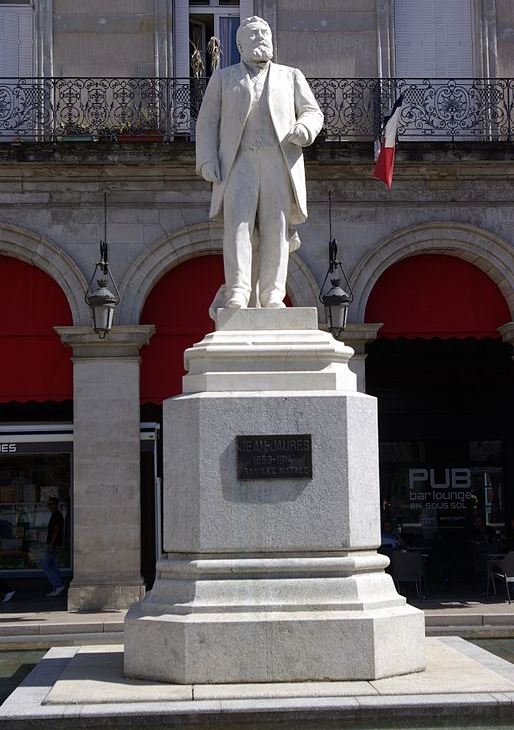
(35, 365)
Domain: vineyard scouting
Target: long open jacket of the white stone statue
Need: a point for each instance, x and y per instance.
(223, 116)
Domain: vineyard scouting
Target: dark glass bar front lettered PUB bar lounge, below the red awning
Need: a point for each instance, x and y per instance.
(450, 509)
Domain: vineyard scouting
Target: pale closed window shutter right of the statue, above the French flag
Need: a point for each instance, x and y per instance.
(433, 38)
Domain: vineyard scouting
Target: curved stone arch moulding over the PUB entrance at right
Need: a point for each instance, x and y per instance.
(485, 250)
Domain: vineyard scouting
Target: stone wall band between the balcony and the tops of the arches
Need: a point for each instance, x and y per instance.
(155, 196)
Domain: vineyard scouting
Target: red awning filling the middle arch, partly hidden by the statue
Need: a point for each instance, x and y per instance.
(178, 306)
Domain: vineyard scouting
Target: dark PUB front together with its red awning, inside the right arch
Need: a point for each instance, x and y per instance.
(445, 388)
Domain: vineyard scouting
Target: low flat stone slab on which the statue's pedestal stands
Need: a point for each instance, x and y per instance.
(462, 680)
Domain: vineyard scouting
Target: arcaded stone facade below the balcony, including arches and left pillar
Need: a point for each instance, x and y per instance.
(457, 200)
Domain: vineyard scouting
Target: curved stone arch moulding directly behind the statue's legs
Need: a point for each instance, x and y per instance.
(199, 240)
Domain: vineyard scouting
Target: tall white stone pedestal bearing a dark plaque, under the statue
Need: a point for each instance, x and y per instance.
(271, 579)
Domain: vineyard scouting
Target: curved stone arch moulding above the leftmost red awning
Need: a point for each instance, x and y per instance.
(34, 249)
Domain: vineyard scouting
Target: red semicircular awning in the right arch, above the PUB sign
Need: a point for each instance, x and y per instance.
(434, 295)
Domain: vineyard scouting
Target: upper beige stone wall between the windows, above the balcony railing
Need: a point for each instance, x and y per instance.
(326, 38)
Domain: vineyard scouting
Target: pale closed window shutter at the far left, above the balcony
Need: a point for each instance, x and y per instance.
(16, 41)
